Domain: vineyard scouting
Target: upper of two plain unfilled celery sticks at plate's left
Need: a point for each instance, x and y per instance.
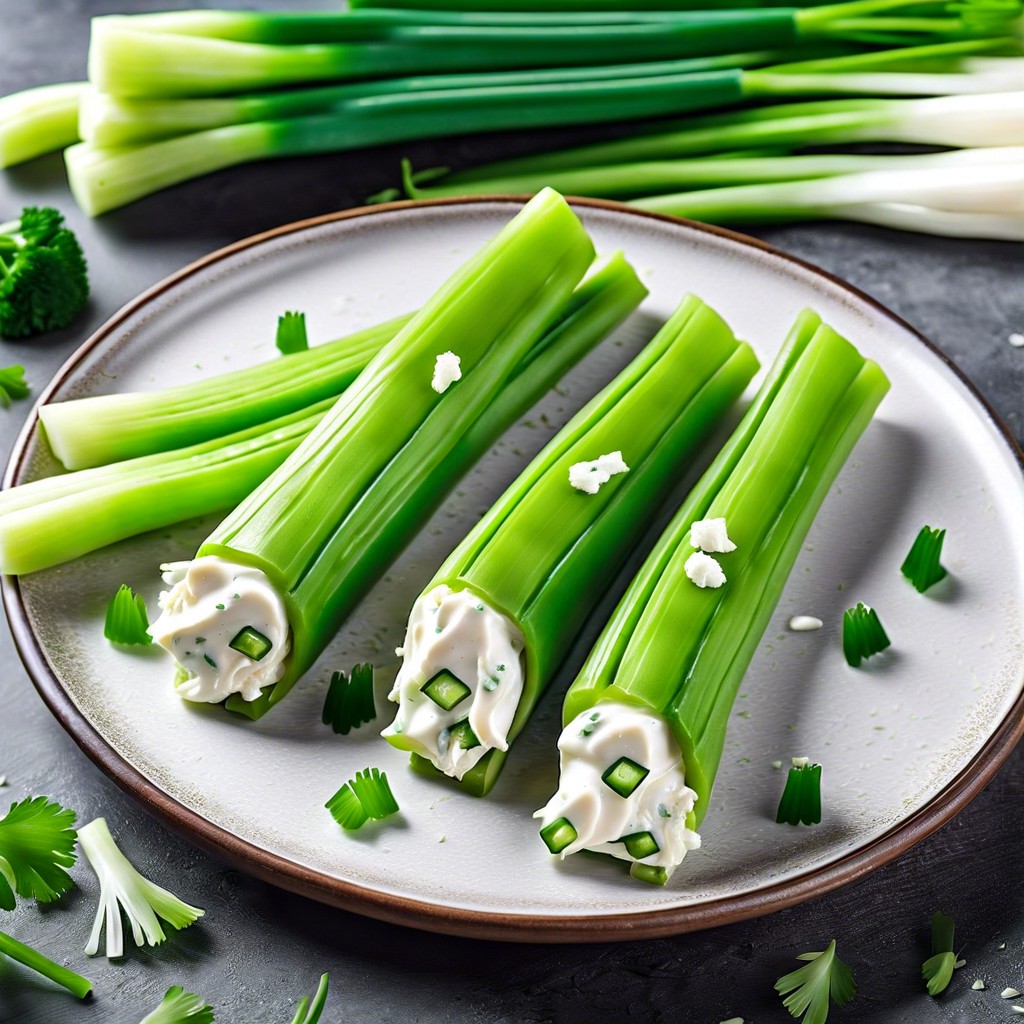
(109, 429)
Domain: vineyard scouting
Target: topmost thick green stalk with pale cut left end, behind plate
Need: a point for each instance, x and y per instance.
(135, 62)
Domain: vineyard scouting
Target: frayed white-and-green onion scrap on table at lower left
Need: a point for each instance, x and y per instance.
(123, 888)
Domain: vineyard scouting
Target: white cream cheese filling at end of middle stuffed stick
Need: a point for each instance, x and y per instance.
(456, 631)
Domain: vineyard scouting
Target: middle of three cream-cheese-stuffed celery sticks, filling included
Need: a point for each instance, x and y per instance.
(494, 625)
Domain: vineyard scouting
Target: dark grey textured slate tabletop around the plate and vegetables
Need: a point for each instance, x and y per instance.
(260, 949)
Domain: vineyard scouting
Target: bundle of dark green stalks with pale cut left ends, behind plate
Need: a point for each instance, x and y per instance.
(176, 96)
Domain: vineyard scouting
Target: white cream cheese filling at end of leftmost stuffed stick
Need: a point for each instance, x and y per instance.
(210, 602)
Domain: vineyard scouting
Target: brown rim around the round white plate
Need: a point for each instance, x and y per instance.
(457, 921)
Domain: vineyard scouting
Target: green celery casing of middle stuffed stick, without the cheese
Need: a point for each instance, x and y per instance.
(546, 553)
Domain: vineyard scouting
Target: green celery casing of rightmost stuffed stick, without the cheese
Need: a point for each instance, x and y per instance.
(680, 651)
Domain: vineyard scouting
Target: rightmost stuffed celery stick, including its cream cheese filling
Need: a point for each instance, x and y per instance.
(646, 720)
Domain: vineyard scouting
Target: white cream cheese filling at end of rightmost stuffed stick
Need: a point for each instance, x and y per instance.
(589, 746)
